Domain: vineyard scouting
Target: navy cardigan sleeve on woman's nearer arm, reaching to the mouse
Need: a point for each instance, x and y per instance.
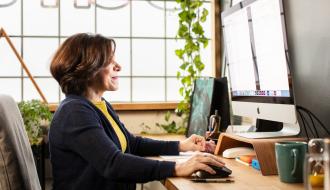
(84, 135)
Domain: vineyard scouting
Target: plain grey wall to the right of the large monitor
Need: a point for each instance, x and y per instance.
(308, 26)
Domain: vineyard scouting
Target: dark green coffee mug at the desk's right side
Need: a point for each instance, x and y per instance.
(290, 157)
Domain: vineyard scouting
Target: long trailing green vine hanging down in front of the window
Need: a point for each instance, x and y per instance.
(191, 17)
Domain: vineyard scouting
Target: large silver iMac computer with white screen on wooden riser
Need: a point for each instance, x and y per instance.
(258, 65)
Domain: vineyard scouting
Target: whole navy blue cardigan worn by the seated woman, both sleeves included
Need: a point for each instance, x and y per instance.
(86, 153)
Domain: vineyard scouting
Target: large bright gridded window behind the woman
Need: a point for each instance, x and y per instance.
(144, 31)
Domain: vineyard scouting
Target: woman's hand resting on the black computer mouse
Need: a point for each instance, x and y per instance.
(199, 161)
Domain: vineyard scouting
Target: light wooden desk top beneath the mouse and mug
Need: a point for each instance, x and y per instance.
(245, 177)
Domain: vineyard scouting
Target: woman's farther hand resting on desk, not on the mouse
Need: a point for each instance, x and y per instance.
(196, 143)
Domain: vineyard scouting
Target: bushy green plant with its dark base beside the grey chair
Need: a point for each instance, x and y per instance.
(36, 116)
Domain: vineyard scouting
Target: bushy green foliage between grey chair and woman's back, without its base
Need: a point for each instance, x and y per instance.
(35, 113)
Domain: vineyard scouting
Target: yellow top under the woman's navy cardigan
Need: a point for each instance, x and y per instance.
(103, 107)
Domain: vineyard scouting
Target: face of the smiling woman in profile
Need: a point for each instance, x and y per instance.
(109, 76)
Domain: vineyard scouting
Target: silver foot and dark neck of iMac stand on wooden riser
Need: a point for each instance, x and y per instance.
(267, 129)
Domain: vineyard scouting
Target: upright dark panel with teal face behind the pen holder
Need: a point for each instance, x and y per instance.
(209, 94)
